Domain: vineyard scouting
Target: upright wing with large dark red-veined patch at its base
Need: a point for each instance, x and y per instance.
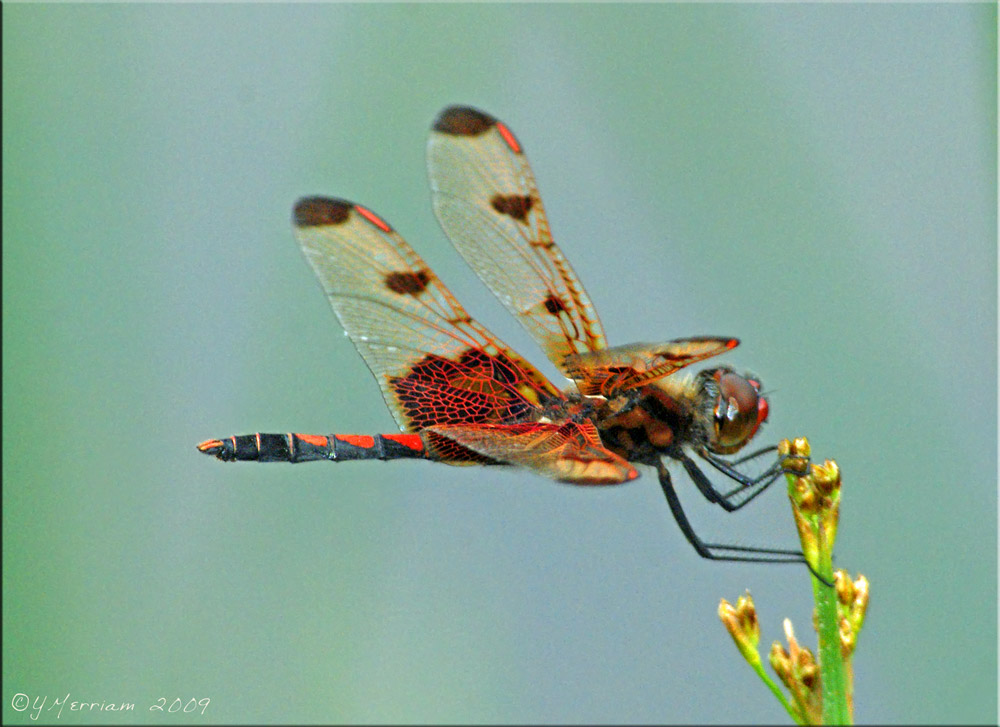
(434, 363)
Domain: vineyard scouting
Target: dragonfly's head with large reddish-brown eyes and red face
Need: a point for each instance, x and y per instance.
(738, 408)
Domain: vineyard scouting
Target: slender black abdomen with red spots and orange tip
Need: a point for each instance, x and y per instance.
(294, 448)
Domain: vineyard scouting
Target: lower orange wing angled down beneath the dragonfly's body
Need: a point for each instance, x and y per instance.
(566, 451)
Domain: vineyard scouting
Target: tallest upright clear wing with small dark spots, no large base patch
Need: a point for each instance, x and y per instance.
(487, 201)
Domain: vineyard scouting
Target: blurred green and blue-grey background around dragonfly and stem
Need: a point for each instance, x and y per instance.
(819, 180)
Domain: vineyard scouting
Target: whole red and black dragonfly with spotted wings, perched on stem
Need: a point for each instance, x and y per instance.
(462, 396)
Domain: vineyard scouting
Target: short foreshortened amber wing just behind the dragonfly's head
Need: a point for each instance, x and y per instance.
(615, 370)
